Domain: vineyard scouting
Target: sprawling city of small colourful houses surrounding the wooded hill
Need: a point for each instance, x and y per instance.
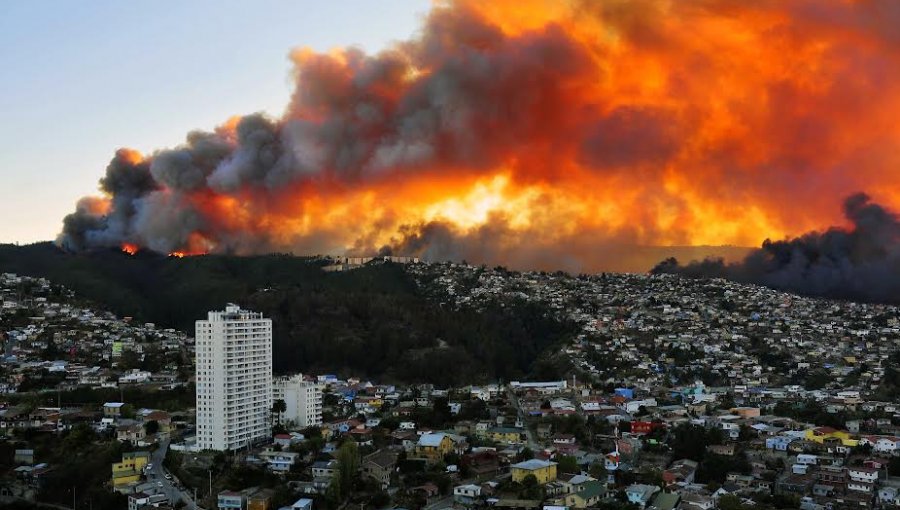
(669, 393)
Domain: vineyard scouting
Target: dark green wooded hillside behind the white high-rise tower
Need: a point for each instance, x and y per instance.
(371, 321)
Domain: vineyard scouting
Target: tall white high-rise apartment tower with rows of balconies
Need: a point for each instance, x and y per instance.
(234, 379)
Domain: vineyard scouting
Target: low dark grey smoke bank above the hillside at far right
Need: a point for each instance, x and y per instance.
(860, 263)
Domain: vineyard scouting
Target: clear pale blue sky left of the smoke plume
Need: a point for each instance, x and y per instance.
(83, 79)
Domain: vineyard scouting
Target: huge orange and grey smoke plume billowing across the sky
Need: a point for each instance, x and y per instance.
(539, 133)
